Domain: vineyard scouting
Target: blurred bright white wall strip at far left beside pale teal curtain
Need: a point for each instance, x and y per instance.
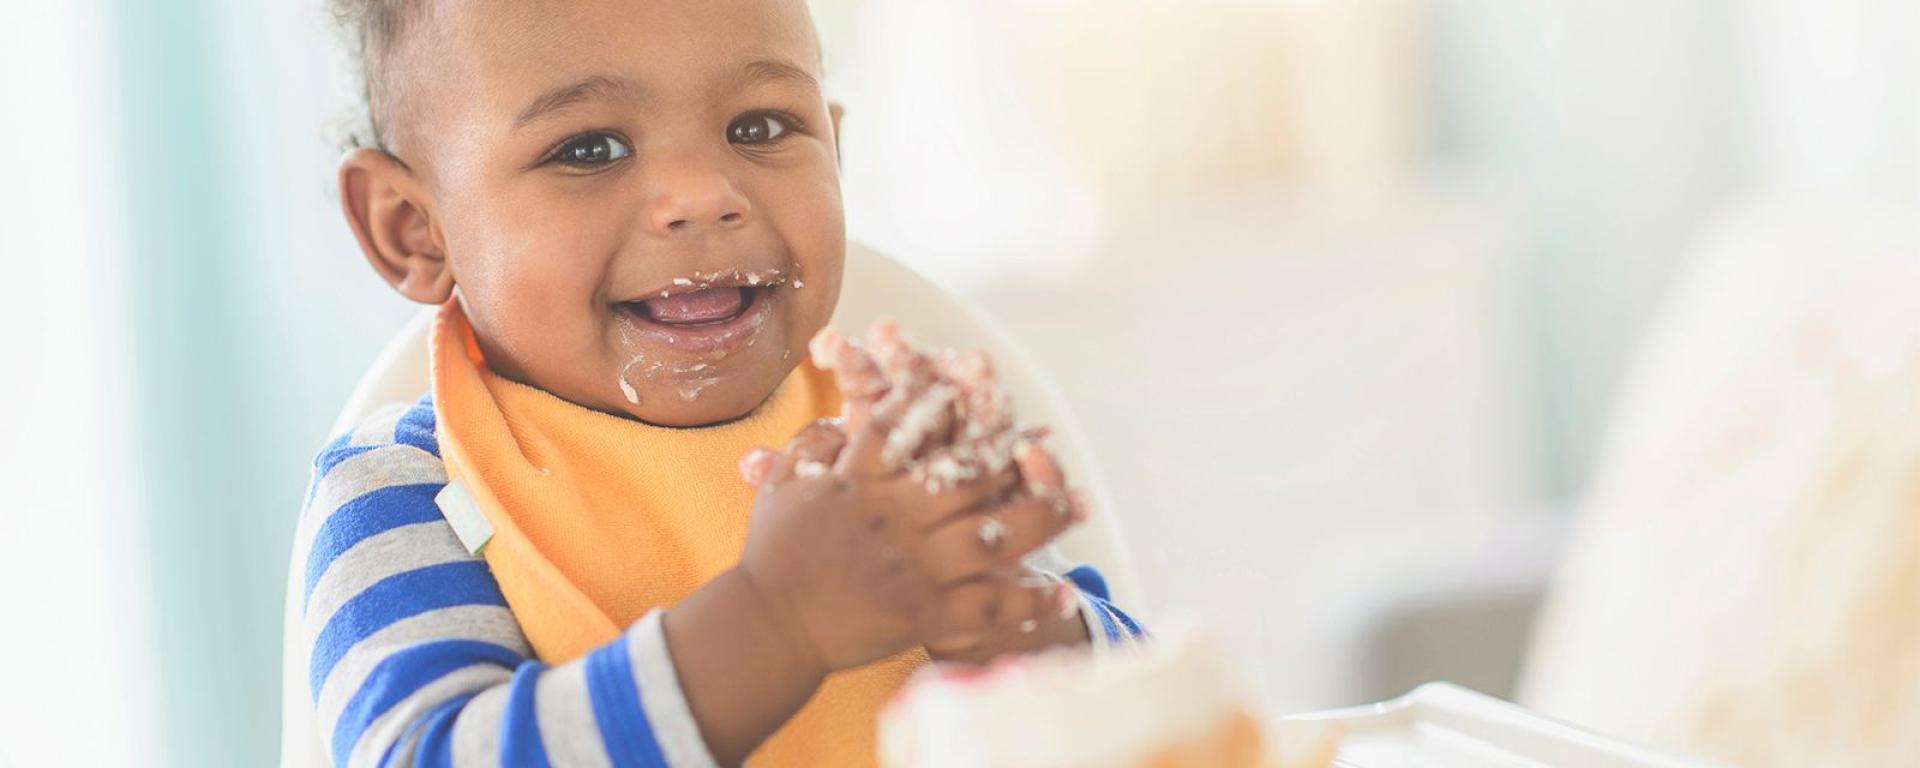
(78, 636)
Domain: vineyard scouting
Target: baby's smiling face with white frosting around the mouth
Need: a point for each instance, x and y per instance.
(638, 201)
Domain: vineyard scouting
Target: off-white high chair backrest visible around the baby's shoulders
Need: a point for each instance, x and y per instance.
(875, 287)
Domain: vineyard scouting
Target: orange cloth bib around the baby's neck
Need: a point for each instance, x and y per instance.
(602, 519)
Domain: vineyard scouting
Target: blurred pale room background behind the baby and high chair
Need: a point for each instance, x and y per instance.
(1566, 350)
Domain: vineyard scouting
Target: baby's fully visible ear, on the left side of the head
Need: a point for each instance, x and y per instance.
(391, 212)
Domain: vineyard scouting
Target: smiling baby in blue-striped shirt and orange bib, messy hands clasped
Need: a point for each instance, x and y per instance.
(631, 218)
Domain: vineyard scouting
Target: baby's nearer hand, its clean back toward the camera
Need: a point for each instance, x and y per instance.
(859, 567)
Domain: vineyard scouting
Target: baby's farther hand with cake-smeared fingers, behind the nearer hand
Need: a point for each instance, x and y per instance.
(948, 425)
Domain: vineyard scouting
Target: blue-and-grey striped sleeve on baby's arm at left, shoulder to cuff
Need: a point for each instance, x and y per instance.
(416, 658)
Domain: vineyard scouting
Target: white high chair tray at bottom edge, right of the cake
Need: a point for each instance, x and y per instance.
(1449, 727)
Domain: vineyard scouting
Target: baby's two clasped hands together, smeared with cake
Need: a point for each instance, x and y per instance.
(905, 523)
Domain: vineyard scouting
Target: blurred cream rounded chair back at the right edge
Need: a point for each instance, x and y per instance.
(1744, 583)
